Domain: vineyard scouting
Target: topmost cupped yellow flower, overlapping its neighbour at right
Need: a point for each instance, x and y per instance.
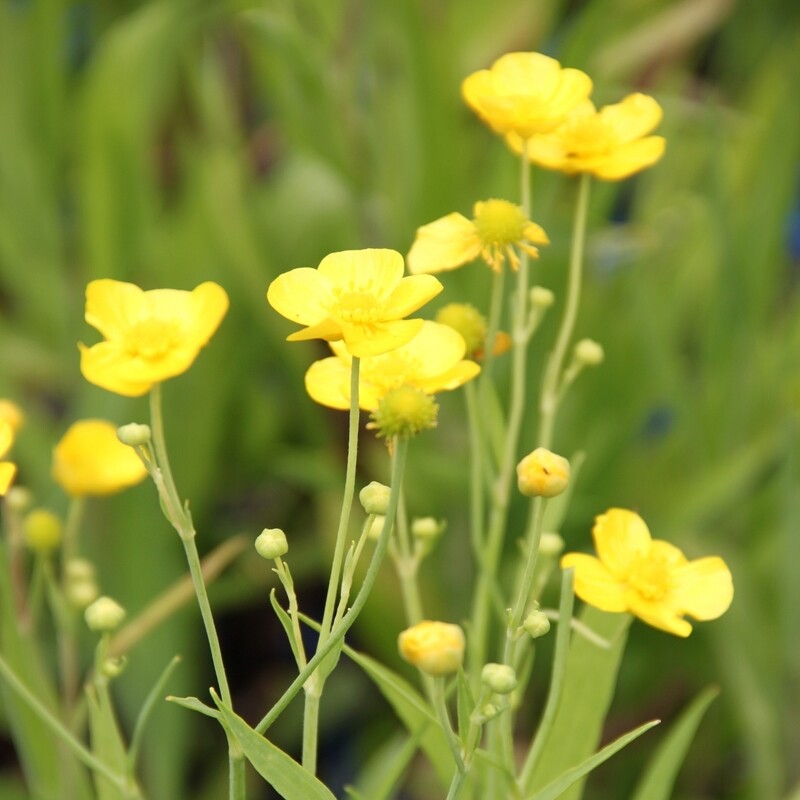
(525, 93)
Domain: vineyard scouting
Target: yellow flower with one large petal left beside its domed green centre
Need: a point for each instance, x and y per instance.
(497, 229)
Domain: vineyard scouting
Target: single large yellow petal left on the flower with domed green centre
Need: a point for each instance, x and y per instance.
(444, 244)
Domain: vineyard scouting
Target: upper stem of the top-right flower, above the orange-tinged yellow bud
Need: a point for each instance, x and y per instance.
(548, 405)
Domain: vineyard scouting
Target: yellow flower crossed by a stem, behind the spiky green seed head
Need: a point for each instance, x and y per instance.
(433, 361)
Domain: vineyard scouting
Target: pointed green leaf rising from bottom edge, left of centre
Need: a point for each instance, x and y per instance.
(279, 770)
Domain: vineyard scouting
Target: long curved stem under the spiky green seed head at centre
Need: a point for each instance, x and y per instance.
(340, 629)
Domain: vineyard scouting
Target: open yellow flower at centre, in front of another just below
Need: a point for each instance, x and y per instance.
(356, 296)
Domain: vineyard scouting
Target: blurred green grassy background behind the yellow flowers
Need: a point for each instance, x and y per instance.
(173, 142)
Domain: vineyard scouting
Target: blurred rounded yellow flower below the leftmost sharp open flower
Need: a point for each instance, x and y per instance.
(90, 460)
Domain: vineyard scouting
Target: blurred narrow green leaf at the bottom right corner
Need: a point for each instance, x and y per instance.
(659, 776)
